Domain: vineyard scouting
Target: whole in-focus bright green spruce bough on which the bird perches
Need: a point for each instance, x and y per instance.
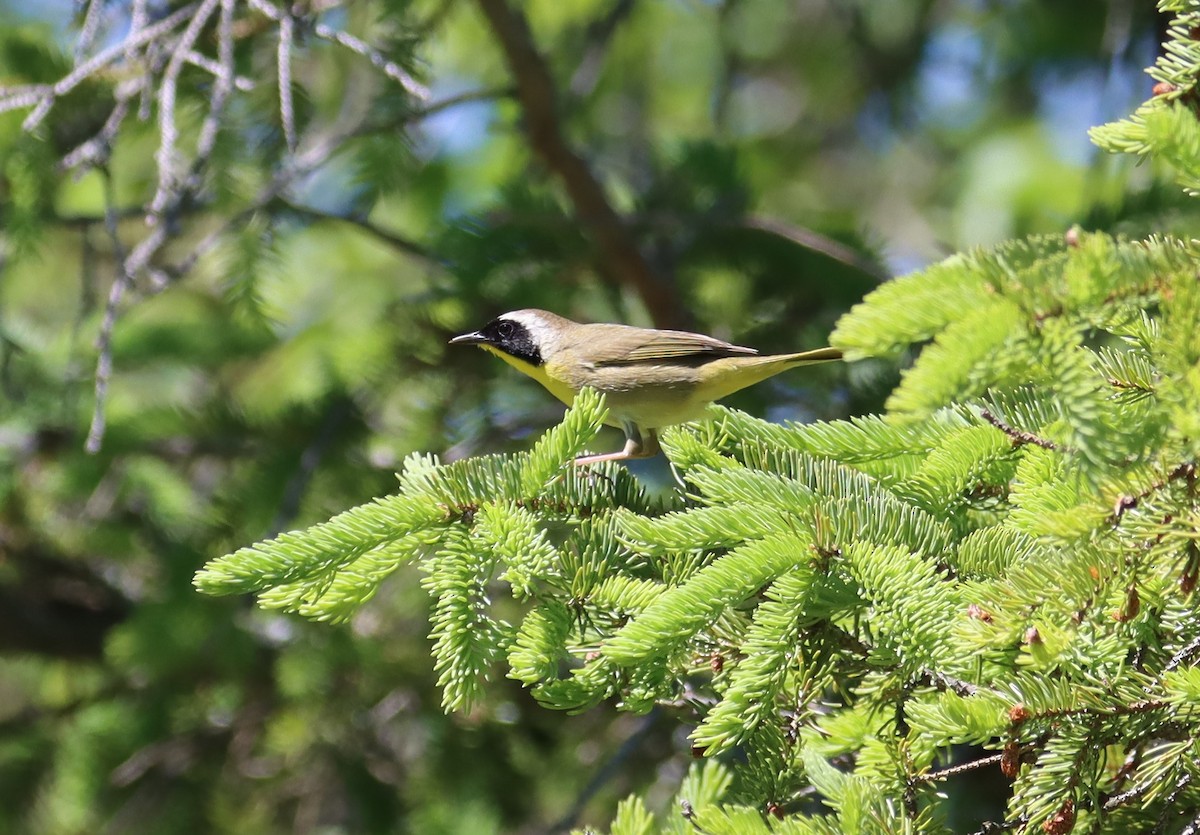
(843, 603)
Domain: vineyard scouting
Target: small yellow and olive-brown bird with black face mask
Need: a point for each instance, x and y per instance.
(651, 379)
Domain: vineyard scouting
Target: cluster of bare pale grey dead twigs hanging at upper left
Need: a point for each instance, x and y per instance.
(155, 55)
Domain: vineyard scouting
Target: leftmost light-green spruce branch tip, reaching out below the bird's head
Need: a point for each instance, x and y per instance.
(329, 570)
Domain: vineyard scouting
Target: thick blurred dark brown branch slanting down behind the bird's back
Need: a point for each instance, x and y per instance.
(619, 254)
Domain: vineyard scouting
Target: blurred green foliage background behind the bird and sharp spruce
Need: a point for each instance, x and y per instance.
(286, 349)
